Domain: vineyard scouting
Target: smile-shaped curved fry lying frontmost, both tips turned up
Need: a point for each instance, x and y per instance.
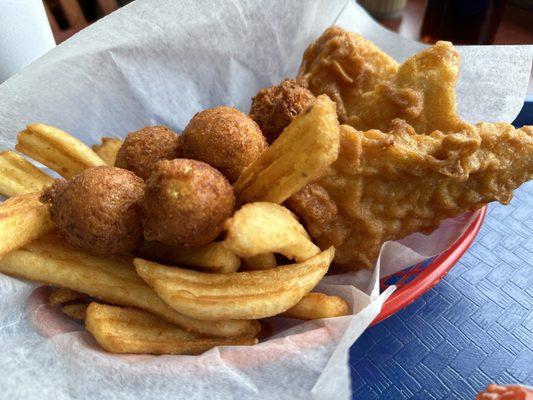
(240, 295)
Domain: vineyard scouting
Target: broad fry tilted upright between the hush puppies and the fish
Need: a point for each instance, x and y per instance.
(301, 154)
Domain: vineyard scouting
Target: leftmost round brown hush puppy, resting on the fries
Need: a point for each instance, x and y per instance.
(98, 210)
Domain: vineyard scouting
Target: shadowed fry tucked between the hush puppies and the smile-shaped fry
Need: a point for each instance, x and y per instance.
(213, 257)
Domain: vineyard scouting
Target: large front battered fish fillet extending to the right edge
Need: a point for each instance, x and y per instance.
(385, 186)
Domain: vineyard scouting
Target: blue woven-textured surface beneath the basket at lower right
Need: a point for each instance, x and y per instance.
(475, 327)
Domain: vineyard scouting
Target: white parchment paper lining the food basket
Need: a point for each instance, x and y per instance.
(157, 61)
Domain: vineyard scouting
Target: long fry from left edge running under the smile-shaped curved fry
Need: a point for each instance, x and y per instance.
(110, 278)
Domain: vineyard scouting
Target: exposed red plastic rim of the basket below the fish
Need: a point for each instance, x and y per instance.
(416, 280)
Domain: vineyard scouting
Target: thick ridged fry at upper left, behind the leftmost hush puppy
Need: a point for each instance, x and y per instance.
(57, 150)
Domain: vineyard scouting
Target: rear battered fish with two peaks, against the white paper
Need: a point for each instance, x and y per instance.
(371, 90)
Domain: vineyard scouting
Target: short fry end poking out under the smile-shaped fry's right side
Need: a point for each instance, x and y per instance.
(318, 305)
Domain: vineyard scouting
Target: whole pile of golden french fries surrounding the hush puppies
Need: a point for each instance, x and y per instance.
(205, 297)
